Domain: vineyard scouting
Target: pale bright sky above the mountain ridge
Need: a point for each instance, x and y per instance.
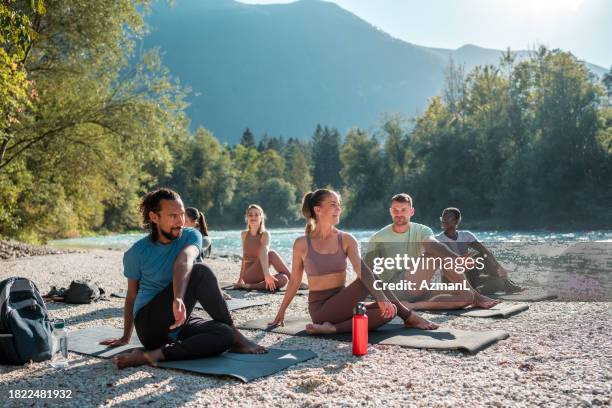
(583, 27)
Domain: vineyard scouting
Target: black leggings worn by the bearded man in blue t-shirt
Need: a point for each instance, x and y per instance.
(197, 337)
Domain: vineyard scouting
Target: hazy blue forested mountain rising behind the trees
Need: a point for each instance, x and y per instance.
(281, 69)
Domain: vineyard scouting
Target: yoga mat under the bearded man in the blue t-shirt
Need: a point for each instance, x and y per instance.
(245, 367)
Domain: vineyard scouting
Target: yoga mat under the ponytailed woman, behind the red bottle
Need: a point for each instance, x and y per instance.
(396, 334)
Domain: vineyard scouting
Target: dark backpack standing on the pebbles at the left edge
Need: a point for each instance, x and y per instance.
(25, 330)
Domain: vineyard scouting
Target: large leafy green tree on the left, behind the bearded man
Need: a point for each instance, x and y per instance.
(97, 117)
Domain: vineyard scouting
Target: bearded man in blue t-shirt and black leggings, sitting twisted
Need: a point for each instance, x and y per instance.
(164, 284)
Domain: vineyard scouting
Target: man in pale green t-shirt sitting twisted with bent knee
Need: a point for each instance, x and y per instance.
(405, 255)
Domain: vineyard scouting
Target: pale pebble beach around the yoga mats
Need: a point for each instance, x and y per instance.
(558, 354)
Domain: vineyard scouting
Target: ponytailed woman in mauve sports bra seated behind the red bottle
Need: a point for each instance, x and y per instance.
(322, 253)
